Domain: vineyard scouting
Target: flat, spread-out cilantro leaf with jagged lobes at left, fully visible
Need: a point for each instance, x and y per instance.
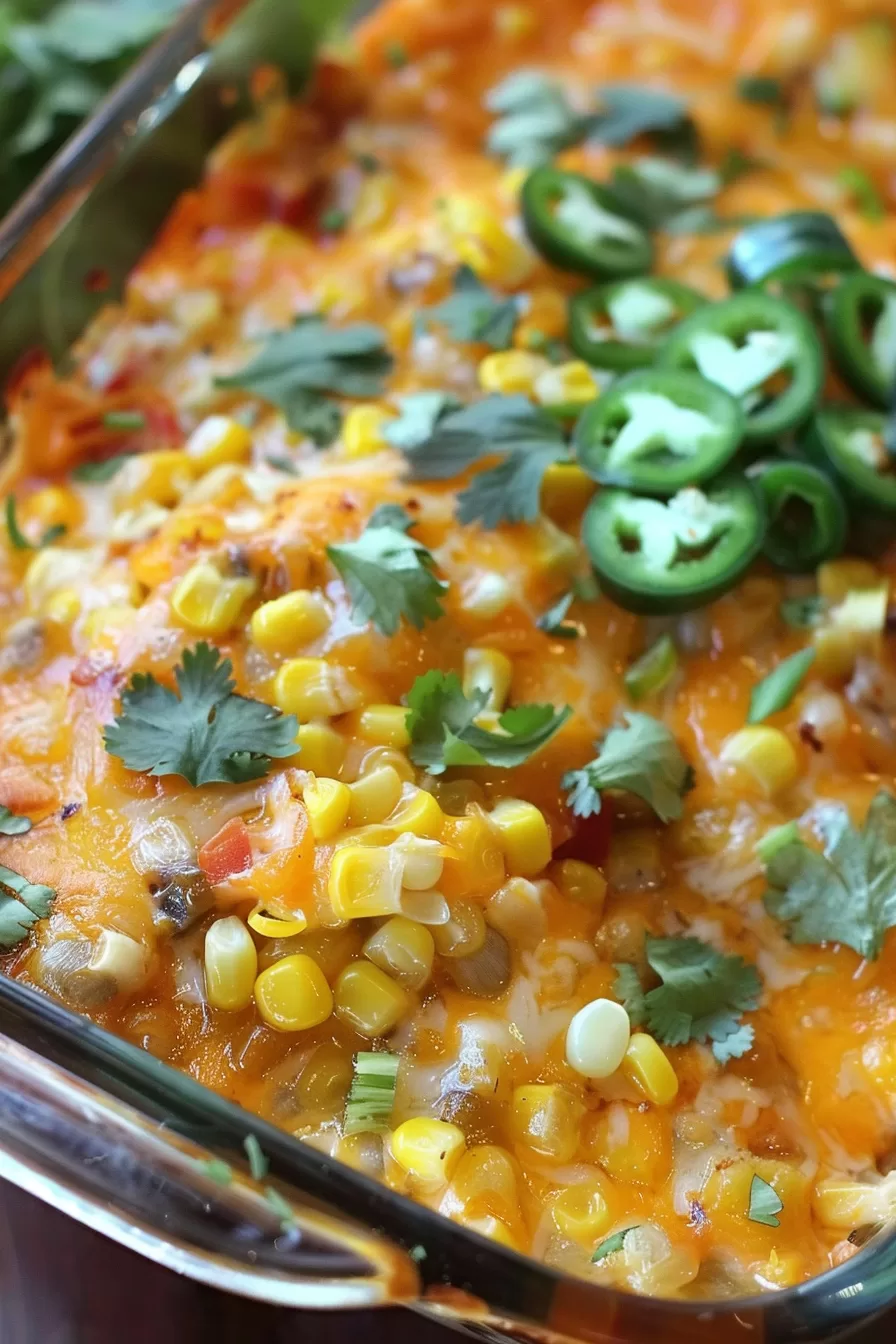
(206, 734)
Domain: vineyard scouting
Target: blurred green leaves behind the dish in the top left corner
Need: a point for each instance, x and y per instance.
(57, 62)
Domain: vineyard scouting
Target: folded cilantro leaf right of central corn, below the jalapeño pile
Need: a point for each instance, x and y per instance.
(643, 759)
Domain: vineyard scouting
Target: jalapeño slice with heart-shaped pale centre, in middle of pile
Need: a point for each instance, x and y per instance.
(745, 342)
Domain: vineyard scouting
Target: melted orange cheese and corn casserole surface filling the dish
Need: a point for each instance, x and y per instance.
(392, 136)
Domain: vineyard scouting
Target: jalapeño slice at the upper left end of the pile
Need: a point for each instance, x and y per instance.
(578, 225)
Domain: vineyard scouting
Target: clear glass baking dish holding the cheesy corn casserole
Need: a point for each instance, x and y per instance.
(118, 1139)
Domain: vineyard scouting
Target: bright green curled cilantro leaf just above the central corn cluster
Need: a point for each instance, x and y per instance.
(444, 730)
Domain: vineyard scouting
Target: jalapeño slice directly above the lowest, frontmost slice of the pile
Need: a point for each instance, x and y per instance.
(658, 431)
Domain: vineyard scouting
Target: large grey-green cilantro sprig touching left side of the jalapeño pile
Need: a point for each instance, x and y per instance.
(523, 436)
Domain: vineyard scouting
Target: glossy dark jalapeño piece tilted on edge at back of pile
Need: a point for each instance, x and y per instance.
(789, 249)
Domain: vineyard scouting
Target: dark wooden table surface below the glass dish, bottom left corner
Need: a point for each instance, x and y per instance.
(62, 1284)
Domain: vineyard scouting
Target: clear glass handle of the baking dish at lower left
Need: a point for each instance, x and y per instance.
(101, 1162)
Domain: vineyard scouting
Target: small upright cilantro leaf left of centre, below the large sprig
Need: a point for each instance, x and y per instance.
(389, 575)
